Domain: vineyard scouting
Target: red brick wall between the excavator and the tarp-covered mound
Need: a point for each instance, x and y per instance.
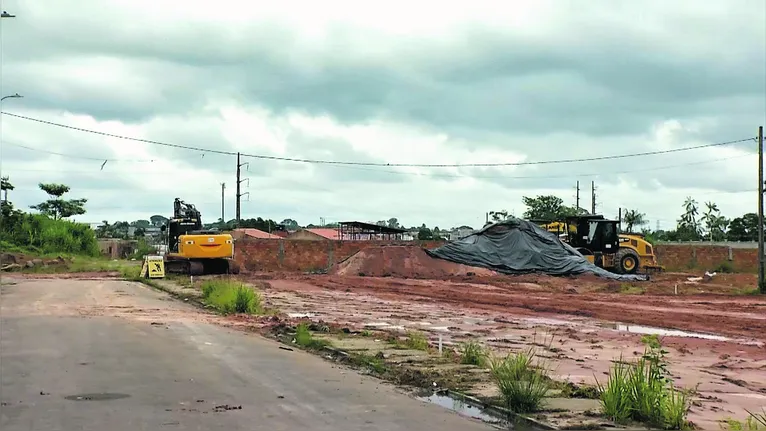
(303, 256)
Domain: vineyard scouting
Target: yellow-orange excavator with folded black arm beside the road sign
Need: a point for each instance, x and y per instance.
(193, 250)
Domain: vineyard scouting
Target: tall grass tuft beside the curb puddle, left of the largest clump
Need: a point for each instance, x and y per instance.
(522, 380)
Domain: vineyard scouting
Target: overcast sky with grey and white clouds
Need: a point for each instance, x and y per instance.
(399, 83)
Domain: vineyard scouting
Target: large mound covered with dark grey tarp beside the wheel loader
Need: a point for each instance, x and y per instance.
(517, 246)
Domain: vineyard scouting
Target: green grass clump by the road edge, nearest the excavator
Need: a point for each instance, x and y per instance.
(231, 297)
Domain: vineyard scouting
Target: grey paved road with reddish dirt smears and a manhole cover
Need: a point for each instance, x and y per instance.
(157, 364)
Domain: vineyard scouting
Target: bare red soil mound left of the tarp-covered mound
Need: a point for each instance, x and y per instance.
(403, 262)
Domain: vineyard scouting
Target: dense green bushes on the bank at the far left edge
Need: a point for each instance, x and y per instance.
(36, 233)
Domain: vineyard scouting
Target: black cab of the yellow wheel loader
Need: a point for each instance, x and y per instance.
(594, 233)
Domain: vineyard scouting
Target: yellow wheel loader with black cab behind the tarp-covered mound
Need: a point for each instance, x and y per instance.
(599, 240)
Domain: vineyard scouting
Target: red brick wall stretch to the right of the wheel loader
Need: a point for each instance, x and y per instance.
(676, 257)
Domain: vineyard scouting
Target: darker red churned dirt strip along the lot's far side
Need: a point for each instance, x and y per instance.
(713, 311)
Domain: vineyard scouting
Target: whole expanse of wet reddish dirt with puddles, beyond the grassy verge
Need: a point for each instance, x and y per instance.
(590, 328)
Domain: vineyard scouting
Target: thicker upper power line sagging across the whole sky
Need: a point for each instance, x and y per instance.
(350, 163)
